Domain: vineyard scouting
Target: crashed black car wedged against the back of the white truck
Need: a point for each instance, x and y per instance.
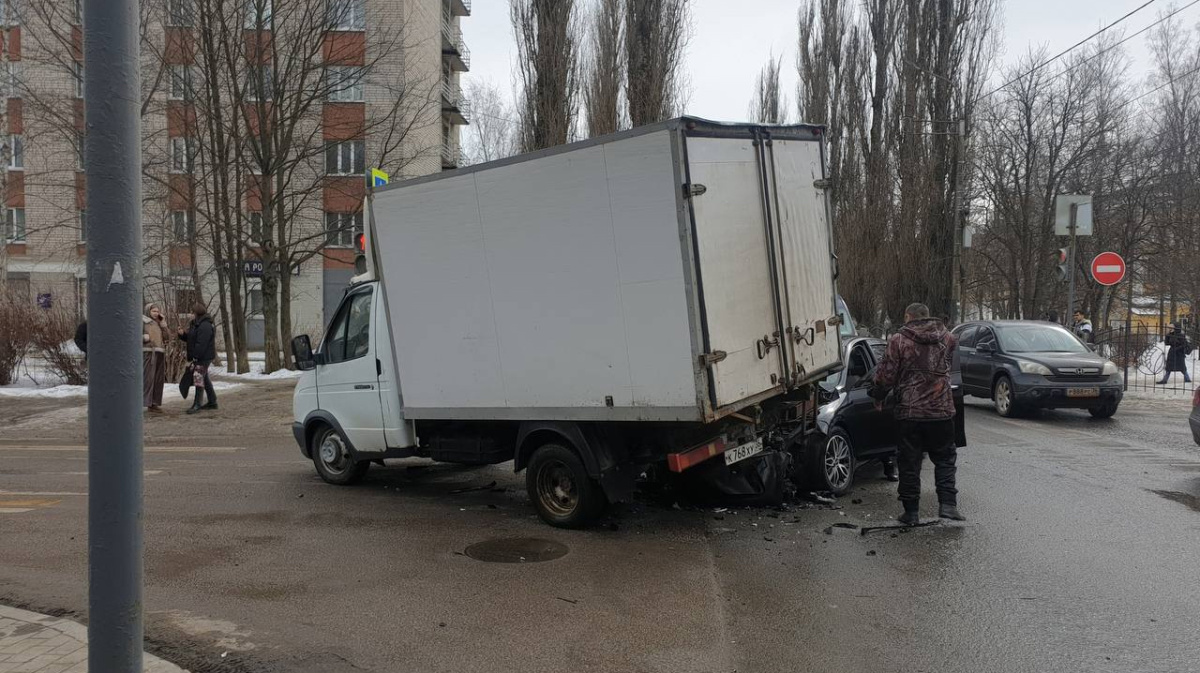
(851, 431)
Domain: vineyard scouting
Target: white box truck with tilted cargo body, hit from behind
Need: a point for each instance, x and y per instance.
(653, 299)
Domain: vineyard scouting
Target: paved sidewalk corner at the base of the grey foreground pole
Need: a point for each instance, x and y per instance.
(37, 644)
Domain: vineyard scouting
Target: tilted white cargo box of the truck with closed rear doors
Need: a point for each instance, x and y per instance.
(680, 272)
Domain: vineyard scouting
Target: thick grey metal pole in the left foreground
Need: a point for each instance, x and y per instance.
(112, 97)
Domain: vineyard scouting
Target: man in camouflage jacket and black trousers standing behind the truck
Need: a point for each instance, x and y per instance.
(917, 369)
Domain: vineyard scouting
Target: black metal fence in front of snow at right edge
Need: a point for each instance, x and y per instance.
(1142, 354)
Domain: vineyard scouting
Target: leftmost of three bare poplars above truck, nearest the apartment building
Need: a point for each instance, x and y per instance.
(548, 35)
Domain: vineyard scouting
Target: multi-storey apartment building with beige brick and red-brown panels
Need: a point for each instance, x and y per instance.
(388, 80)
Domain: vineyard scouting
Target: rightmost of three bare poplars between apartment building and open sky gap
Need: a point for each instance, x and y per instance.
(657, 34)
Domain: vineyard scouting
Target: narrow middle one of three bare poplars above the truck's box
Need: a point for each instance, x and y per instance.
(605, 69)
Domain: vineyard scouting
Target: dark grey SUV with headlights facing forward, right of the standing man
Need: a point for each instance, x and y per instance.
(1030, 365)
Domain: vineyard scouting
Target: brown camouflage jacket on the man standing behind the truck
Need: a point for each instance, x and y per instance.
(917, 366)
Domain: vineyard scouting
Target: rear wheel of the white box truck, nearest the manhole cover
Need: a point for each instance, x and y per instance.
(561, 490)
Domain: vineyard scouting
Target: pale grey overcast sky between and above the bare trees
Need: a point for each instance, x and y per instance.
(734, 39)
